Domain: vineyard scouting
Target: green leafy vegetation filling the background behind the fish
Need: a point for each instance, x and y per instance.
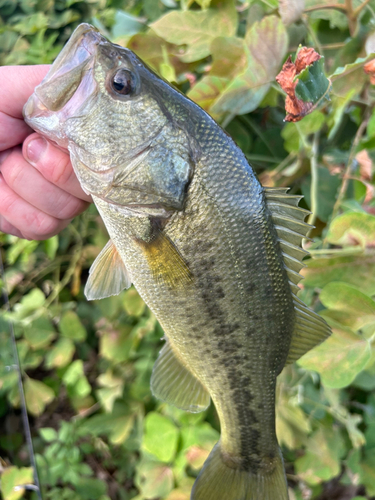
(98, 432)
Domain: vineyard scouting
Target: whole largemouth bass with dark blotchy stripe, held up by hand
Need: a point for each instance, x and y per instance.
(215, 255)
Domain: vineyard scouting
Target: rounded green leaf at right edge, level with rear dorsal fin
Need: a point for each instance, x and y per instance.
(356, 309)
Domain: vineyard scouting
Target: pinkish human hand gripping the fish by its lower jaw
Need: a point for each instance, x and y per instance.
(39, 192)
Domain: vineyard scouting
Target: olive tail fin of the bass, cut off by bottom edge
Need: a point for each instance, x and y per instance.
(217, 481)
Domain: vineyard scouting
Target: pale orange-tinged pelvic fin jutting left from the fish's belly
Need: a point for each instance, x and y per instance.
(108, 275)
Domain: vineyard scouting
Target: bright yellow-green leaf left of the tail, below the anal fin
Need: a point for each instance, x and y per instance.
(160, 438)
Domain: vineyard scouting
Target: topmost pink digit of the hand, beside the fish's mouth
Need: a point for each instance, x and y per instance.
(17, 85)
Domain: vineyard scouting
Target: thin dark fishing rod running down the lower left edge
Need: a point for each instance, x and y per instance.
(25, 419)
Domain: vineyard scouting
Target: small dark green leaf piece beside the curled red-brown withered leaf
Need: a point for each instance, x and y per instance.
(312, 84)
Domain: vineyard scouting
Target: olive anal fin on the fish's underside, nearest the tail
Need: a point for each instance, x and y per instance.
(173, 383)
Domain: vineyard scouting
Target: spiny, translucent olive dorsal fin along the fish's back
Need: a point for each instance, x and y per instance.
(310, 329)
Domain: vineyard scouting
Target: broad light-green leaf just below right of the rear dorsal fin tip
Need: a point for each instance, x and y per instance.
(338, 359)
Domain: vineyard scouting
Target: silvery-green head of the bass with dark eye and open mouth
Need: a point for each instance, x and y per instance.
(105, 106)
